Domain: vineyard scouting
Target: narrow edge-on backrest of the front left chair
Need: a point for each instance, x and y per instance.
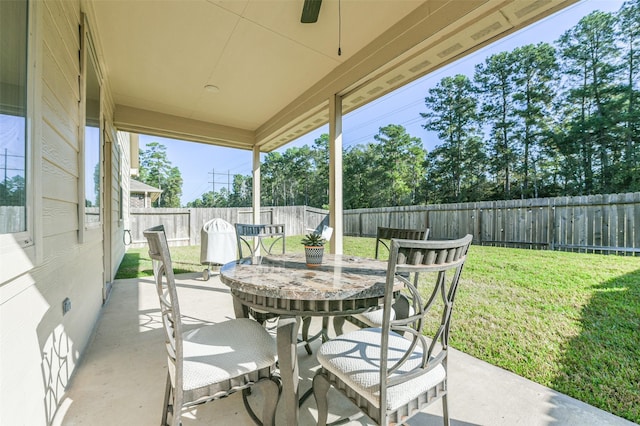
(168, 297)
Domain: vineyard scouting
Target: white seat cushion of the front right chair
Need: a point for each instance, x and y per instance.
(355, 359)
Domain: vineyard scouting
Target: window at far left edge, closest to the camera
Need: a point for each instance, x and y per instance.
(13, 117)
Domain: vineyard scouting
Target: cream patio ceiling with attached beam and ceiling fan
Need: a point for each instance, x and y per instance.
(276, 75)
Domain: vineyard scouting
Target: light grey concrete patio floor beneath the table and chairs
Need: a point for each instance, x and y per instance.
(121, 378)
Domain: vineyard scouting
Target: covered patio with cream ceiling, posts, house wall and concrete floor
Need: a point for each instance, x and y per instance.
(90, 75)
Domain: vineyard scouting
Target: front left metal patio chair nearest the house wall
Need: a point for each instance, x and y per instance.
(212, 361)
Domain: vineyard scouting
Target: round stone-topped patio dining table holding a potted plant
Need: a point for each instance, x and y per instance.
(284, 285)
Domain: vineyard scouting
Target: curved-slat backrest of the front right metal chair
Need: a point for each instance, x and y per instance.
(439, 264)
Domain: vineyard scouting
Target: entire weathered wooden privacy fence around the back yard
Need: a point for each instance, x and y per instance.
(595, 223)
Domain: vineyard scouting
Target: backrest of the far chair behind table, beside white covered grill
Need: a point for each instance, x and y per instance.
(263, 237)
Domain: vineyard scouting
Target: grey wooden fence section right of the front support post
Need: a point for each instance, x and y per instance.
(594, 223)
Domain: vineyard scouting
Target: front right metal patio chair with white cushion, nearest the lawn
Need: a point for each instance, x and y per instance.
(394, 371)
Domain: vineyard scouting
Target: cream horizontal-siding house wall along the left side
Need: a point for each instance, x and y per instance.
(39, 346)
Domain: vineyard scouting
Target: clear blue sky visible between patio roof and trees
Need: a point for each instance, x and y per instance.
(197, 162)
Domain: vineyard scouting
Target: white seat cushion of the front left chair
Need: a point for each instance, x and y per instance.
(218, 353)
